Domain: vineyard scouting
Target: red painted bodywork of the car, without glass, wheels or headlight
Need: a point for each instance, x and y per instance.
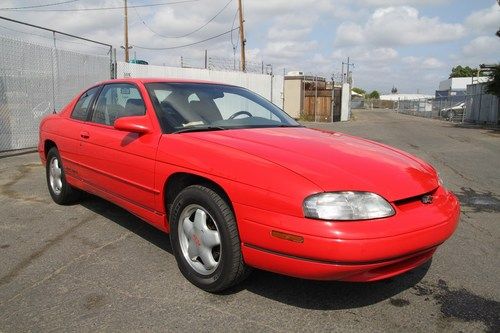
(267, 173)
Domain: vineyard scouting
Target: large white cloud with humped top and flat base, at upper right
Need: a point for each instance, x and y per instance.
(392, 26)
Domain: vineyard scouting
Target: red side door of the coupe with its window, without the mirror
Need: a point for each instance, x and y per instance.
(117, 162)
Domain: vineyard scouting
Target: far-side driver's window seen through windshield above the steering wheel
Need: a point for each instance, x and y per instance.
(232, 103)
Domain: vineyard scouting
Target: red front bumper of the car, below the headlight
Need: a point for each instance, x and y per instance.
(348, 251)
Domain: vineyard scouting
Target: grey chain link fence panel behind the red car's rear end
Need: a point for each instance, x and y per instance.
(36, 80)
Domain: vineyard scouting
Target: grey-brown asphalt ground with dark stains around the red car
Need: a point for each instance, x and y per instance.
(93, 266)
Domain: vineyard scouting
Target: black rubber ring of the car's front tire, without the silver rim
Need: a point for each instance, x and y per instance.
(220, 277)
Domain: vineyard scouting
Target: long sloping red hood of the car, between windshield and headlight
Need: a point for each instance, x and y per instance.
(333, 161)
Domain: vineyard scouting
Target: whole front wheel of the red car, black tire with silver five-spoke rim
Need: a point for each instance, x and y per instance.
(198, 214)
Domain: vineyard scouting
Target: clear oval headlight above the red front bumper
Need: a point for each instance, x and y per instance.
(345, 206)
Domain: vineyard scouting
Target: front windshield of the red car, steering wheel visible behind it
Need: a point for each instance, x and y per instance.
(188, 107)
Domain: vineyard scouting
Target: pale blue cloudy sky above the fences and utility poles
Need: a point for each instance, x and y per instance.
(410, 44)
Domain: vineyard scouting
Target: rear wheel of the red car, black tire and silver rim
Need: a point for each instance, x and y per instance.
(61, 192)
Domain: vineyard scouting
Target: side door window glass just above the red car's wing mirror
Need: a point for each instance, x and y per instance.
(118, 100)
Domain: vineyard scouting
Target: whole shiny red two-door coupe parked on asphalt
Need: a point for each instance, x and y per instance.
(238, 183)
